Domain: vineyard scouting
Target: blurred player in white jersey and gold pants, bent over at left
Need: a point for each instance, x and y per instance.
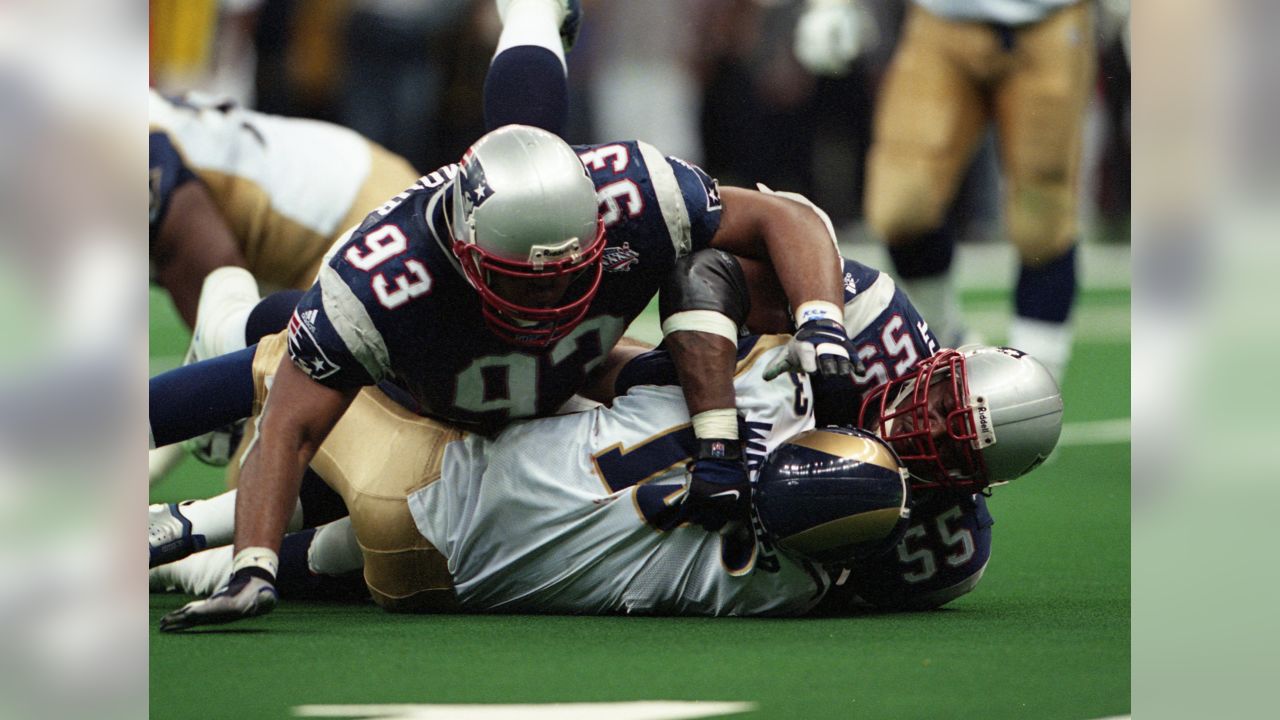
(235, 188)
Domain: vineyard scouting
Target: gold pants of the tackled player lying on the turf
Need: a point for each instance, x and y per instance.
(376, 458)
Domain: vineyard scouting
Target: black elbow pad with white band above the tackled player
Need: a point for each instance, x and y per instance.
(706, 293)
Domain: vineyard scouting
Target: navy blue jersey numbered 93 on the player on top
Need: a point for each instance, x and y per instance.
(392, 304)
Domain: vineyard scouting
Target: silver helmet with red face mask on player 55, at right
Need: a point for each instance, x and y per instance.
(970, 418)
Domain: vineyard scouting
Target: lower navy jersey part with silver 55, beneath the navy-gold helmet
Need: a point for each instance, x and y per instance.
(941, 558)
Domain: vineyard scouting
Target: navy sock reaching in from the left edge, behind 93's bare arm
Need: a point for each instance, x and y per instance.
(194, 400)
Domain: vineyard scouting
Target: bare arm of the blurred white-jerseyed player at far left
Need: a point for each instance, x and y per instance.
(193, 240)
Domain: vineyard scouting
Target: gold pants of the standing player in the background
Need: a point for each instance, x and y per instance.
(948, 80)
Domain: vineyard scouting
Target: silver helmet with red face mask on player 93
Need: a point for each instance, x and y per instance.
(525, 208)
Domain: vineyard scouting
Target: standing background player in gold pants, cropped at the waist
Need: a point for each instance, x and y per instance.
(1026, 67)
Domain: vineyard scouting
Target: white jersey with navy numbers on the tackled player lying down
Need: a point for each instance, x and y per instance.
(564, 514)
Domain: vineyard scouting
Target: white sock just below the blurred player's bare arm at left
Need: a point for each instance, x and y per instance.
(226, 300)
